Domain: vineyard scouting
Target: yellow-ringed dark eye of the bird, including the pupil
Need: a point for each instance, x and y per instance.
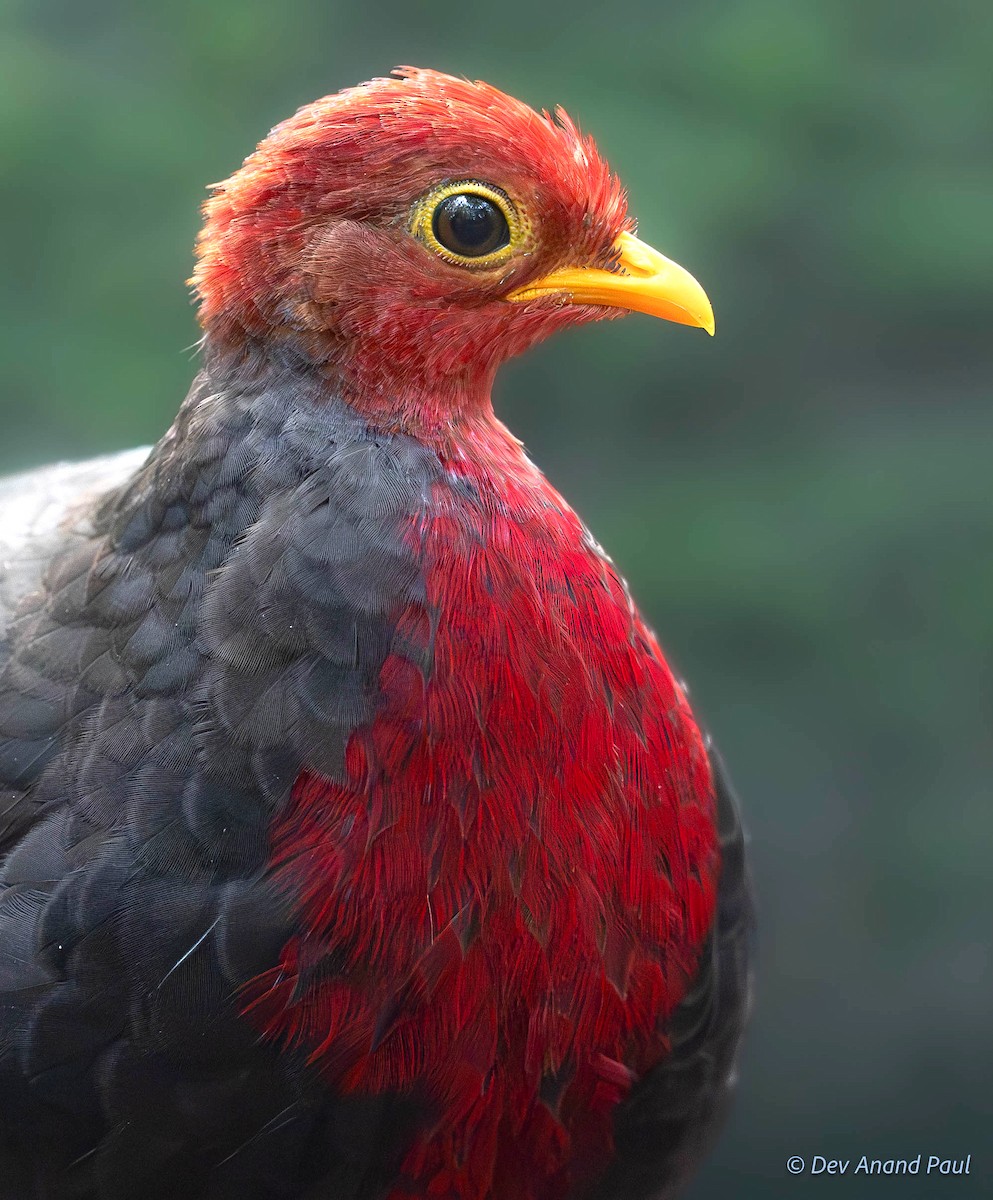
(470, 224)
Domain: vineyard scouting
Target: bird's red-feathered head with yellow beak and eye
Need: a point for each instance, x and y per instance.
(411, 235)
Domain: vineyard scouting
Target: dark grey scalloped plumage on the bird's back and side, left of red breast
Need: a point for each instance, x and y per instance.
(173, 655)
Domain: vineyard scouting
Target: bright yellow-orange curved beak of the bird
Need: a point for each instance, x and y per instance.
(645, 281)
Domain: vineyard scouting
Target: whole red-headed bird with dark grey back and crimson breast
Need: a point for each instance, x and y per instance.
(357, 839)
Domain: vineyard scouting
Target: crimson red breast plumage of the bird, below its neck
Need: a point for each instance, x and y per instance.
(515, 885)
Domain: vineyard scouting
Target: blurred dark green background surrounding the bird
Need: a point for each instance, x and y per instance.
(804, 506)
